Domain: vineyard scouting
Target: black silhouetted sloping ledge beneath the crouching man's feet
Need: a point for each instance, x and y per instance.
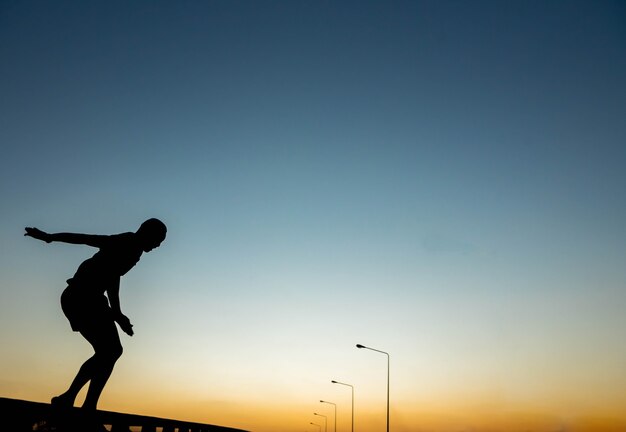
(21, 416)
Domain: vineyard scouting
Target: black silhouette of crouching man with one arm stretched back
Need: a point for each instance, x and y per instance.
(87, 308)
